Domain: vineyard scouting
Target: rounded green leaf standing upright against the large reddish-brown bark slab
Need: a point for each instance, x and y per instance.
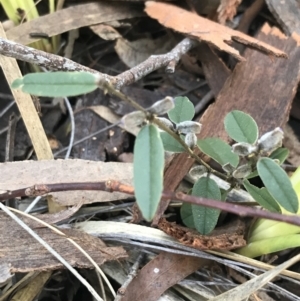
(241, 127)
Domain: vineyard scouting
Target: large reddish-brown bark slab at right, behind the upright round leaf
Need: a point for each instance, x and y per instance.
(260, 87)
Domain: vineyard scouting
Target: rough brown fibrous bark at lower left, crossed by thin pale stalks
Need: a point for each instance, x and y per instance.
(16, 245)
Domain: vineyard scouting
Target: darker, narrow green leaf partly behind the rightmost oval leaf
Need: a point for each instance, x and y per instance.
(262, 197)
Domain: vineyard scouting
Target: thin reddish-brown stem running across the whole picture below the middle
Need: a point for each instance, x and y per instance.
(111, 186)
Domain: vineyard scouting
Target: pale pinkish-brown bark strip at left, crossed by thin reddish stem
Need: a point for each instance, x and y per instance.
(15, 175)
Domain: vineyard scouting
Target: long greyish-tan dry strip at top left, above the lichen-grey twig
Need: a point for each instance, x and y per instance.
(72, 18)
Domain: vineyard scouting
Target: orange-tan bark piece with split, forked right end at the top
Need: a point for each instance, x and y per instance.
(203, 29)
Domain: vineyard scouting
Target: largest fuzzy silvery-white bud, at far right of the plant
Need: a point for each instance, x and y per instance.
(270, 141)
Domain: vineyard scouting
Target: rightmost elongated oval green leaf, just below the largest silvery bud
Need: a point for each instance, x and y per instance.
(278, 184)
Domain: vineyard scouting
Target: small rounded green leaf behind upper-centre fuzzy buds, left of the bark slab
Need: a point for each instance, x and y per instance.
(184, 110)
